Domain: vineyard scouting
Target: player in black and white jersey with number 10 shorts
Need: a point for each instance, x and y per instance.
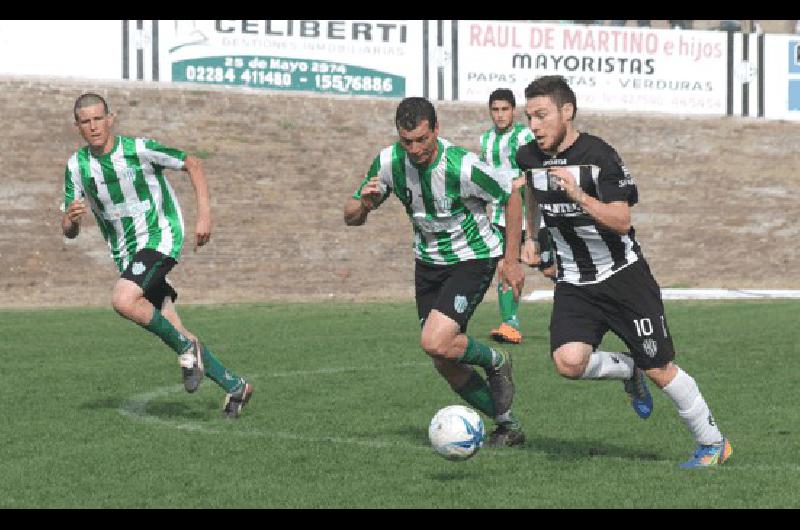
(584, 192)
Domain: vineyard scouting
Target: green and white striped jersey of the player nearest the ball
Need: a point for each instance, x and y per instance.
(445, 201)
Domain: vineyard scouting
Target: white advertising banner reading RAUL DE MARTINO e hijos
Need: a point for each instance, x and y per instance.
(635, 69)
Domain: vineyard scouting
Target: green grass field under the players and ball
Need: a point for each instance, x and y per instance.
(95, 415)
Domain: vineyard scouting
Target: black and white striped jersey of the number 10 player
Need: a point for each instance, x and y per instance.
(586, 252)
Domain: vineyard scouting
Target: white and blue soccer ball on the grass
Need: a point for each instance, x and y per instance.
(456, 432)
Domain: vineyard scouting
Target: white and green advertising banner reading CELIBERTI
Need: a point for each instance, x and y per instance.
(366, 57)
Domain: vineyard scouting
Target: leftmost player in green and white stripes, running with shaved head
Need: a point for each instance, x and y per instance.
(122, 180)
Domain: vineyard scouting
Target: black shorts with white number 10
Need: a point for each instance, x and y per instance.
(628, 303)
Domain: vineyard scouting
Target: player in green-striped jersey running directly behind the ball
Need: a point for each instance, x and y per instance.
(445, 190)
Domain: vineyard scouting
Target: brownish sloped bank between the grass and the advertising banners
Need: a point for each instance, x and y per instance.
(718, 196)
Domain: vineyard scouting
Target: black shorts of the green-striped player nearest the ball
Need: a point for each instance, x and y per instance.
(455, 290)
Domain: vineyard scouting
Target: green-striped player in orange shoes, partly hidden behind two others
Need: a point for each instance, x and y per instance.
(499, 148)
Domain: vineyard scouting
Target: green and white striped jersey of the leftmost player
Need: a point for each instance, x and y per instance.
(130, 197)
